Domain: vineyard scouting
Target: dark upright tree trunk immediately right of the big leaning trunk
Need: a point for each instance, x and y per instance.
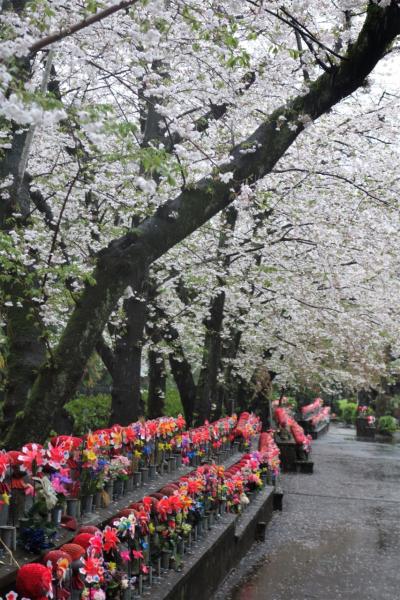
(127, 405)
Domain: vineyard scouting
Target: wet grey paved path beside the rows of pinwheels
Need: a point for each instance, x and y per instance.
(338, 537)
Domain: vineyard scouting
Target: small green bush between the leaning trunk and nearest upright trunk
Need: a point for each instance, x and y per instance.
(89, 412)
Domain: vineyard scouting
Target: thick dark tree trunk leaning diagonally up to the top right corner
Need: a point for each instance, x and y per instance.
(120, 263)
